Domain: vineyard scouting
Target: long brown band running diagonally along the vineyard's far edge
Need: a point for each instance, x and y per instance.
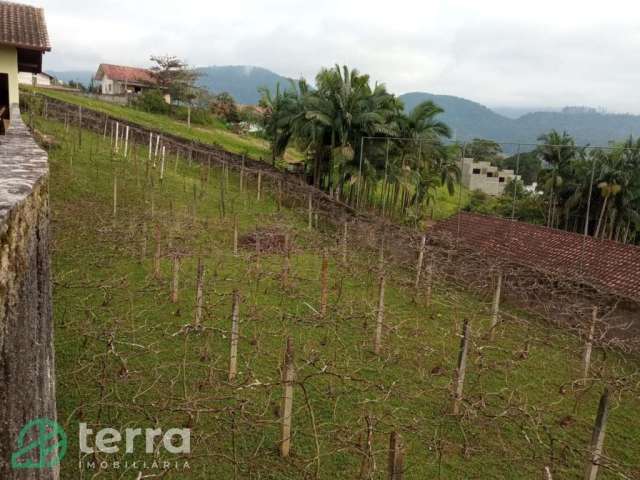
(568, 301)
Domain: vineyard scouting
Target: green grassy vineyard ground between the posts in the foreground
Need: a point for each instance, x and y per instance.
(122, 361)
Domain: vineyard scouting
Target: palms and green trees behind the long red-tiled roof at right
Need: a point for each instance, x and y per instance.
(597, 189)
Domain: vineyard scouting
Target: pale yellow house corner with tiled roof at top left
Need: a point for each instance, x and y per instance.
(23, 41)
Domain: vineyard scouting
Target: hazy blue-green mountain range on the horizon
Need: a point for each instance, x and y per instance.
(466, 118)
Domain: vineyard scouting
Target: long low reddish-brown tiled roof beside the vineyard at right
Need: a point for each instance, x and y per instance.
(612, 266)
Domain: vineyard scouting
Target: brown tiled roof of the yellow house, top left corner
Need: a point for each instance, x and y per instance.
(23, 26)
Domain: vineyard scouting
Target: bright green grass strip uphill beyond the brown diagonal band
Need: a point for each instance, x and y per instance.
(214, 134)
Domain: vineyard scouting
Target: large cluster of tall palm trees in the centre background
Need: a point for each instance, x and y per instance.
(340, 125)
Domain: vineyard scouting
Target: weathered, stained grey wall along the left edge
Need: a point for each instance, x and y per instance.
(27, 375)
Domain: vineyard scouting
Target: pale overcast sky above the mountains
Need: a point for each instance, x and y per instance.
(500, 53)
